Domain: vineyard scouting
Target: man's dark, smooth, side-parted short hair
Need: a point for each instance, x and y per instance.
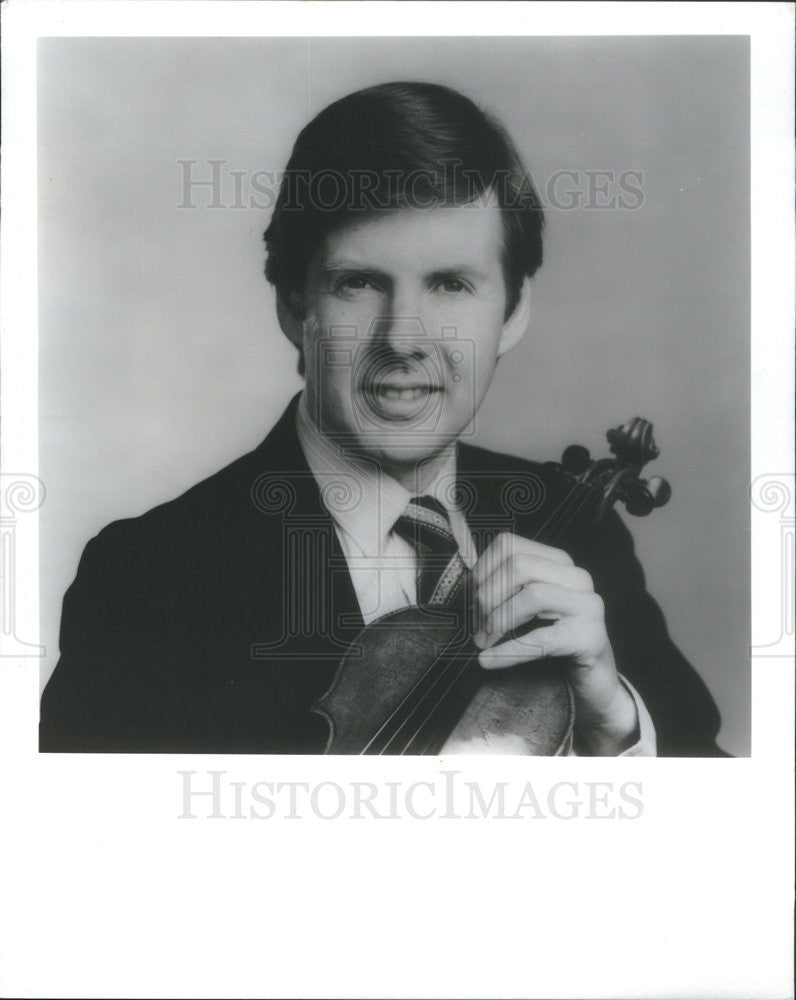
(392, 146)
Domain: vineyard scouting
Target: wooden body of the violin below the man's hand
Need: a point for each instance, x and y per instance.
(432, 696)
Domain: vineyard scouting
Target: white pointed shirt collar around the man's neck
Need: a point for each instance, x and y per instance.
(362, 499)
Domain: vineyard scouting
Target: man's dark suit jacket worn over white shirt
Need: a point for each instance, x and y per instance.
(213, 622)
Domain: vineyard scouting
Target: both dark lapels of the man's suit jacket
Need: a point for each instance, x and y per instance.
(287, 568)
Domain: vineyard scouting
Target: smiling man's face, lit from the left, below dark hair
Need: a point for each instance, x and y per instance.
(403, 323)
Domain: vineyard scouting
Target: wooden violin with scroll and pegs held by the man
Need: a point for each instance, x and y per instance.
(410, 682)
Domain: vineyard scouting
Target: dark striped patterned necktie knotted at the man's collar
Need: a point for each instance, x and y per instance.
(441, 570)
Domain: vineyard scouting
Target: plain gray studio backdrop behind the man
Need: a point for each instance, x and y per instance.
(161, 359)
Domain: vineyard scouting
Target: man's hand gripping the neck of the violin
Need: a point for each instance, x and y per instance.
(517, 580)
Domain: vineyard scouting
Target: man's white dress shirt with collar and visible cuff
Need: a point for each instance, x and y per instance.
(364, 503)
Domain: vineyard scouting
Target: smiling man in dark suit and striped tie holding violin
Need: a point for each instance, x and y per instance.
(402, 248)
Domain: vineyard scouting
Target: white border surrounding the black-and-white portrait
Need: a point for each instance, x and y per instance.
(109, 893)
